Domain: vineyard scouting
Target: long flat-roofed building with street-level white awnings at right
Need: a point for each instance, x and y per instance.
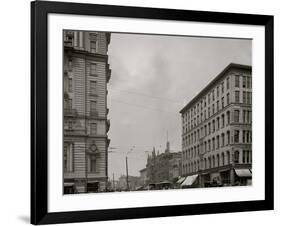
(217, 130)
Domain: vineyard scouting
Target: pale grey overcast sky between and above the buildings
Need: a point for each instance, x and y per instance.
(152, 78)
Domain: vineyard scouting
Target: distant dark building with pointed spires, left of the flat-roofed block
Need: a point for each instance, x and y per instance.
(163, 167)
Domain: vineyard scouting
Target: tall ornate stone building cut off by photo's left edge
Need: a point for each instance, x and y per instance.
(86, 73)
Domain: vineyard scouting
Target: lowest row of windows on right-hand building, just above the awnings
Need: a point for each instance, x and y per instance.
(217, 161)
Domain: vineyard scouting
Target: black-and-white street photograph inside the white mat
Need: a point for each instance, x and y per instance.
(149, 112)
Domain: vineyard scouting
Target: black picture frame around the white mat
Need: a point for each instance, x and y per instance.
(39, 112)
